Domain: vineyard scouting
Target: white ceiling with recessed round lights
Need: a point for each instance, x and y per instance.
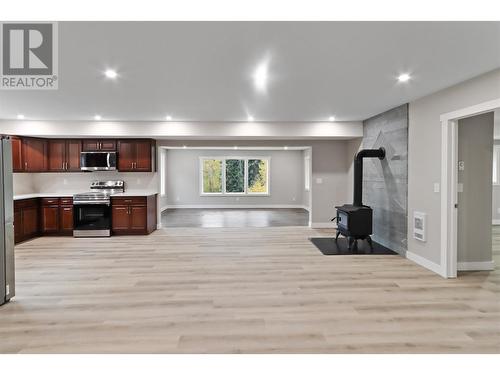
(202, 71)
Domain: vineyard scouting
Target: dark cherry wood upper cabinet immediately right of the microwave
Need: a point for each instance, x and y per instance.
(136, 155)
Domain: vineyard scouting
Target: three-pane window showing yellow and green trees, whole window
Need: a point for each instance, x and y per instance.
(234, 176)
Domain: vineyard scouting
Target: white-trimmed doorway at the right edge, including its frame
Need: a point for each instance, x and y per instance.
(467, 178)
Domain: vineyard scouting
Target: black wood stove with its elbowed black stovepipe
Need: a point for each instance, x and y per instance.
(354, 221)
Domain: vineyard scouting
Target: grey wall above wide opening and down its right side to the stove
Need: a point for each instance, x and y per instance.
(330, 168)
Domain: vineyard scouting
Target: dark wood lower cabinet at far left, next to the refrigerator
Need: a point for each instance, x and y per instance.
(25, 219)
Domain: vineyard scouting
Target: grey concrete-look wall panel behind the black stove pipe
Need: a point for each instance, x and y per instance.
(385, 182)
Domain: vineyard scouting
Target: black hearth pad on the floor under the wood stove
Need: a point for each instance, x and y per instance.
(328, 246)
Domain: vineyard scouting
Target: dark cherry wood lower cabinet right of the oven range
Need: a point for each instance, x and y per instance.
(133, 215)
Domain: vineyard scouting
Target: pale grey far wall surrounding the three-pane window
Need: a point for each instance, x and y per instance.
(286, 178)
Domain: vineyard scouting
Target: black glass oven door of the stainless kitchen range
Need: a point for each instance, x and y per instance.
(92, 220)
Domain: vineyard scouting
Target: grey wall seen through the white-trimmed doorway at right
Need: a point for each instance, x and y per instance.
(475, 149)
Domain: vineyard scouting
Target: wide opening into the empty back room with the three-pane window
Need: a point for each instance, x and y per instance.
(235, 187)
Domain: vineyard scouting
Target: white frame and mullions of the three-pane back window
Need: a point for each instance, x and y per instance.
(245, 193)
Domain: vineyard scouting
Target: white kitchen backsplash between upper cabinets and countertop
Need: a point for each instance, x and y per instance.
(25, 183)
